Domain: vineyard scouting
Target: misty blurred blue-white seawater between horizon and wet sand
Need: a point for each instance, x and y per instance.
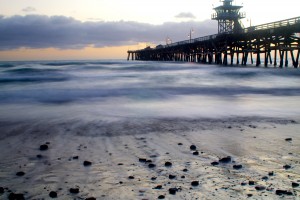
(120, 89)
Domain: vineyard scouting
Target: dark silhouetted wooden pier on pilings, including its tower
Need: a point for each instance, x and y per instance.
(233, 44)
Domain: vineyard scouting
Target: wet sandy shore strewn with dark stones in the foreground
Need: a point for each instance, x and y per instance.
(163, 158)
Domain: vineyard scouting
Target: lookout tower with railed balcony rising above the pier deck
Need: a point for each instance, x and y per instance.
(228, 17)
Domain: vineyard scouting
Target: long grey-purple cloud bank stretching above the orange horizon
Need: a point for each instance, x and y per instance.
(40, 31)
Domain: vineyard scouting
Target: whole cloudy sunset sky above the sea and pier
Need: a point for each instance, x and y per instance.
(106, 29)
